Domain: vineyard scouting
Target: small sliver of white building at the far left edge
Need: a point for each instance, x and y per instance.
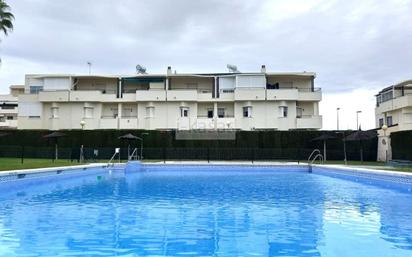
(8, 108)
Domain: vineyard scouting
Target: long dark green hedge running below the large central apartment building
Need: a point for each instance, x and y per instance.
(295, 140)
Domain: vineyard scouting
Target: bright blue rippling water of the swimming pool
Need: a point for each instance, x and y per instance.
(205, 211)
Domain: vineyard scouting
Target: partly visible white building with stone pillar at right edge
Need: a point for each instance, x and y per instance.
(393, 113)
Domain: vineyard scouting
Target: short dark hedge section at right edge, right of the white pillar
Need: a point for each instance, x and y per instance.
(401, 143)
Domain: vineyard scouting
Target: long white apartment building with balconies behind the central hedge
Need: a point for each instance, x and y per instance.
(236, 101)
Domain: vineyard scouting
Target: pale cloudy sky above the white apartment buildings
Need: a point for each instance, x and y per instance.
(355, 47)
